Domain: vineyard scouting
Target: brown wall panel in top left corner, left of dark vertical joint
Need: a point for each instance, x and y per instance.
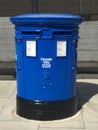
(15, 7)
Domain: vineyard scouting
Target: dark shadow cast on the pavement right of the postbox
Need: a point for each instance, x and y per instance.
(85, 91)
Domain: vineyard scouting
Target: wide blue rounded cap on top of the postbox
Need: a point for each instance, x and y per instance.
(46, 18)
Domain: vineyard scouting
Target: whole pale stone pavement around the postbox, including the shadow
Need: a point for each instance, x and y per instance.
(85, 119)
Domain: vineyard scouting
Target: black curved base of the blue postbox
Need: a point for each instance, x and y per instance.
(39, 110)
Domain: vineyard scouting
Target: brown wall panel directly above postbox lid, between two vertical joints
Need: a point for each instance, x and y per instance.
(58, 6)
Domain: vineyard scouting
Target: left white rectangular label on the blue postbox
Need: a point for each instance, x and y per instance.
(31, 48)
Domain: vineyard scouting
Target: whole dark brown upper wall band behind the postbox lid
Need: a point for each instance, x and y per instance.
(86, 8)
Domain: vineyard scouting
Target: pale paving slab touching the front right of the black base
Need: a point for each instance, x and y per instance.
(75, 121)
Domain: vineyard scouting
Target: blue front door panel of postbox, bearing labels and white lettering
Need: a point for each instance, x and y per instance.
(45, 70)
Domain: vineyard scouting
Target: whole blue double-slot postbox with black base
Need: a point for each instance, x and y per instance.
(46, 64)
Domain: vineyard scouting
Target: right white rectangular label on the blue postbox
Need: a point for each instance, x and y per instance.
(61, 48)
